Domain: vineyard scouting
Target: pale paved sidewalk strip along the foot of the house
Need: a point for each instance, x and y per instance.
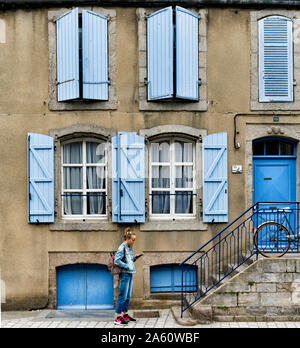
(166, 320)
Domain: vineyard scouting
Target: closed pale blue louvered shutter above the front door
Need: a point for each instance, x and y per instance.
(275, 59)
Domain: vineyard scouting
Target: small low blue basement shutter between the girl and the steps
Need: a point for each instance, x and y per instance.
(168, 278)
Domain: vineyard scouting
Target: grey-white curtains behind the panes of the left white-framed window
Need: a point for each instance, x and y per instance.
(95, 178)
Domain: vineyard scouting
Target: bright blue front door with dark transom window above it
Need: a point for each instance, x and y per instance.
(274, 181)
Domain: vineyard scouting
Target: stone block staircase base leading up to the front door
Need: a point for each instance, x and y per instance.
(260, 290)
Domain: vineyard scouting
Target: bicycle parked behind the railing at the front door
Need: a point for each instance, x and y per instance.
(273, 236)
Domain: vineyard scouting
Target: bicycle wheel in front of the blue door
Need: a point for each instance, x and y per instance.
(272, 237)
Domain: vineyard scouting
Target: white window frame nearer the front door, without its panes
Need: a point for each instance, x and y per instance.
(172, 188)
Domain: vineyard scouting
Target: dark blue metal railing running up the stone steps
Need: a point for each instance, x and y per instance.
(221, 255)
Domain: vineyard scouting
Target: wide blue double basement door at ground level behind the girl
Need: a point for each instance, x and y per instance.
(84, 286)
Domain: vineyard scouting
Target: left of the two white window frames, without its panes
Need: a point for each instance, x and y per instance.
(84, 189)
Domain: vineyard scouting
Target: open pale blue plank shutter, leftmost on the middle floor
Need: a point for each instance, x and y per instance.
(40, 167)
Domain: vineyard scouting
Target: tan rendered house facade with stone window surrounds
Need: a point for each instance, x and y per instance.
(37, 258)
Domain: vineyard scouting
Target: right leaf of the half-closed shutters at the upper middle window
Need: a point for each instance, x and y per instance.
(187, 38)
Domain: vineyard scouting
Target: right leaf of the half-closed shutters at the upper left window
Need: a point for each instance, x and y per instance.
(94, 56)
